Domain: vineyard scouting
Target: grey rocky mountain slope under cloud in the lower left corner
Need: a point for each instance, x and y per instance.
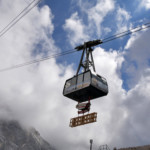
(14, 137)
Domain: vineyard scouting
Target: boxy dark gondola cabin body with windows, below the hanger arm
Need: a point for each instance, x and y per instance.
(84, 86)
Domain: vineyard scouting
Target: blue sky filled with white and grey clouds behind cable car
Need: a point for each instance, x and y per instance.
(33, 94)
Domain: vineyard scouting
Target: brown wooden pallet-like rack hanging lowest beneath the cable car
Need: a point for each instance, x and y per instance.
(85, 119)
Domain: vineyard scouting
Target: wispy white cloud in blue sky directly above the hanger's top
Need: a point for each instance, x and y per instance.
(78, 31)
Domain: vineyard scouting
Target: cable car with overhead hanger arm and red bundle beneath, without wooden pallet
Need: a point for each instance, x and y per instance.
(86, 85)
